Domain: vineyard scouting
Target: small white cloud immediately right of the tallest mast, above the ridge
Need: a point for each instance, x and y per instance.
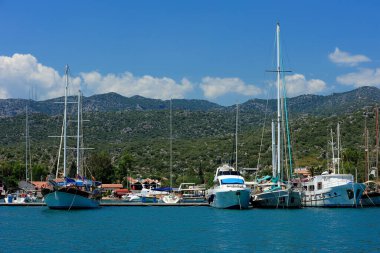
(297, 84)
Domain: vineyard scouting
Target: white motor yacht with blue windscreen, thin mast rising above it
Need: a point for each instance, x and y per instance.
(229, 190)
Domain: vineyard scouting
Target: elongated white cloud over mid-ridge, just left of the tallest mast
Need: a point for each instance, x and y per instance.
(214, 87)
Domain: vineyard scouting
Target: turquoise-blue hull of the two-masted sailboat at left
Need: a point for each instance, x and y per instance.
(64, 200)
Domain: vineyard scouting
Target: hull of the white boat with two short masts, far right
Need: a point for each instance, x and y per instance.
(346, 195)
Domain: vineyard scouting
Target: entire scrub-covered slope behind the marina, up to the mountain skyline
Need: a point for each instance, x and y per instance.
(130, 136)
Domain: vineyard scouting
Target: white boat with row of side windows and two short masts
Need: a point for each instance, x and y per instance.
(331, 189)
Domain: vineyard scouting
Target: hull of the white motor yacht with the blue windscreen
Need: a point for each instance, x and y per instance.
(230, 198)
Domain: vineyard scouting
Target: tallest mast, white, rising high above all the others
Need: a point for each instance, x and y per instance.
(278, 104)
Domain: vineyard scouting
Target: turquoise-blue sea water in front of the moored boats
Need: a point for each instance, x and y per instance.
(189, 229)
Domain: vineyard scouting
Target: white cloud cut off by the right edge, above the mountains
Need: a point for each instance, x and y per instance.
(364, 77)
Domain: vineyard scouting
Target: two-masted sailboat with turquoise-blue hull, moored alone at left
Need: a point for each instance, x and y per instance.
(71, 193)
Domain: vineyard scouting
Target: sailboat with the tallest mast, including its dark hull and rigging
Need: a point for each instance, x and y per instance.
(275, 193)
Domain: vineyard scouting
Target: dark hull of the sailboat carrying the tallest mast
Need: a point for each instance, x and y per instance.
(277, 199)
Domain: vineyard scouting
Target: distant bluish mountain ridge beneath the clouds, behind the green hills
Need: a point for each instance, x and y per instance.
(336, 103)
